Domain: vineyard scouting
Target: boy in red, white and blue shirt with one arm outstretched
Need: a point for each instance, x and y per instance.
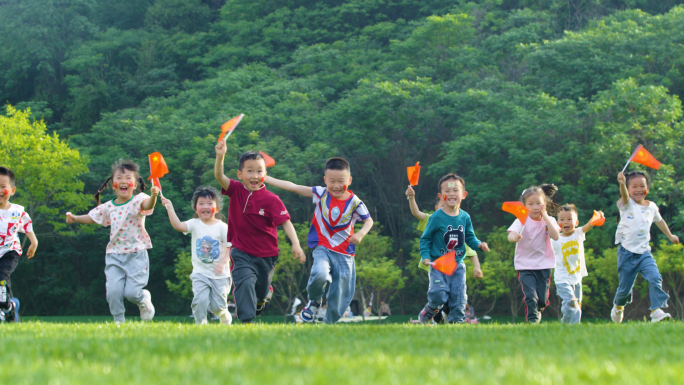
(332, 239)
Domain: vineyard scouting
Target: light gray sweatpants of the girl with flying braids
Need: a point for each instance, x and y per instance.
(127, 275)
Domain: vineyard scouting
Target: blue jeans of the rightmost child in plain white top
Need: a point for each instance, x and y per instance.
(629, 264)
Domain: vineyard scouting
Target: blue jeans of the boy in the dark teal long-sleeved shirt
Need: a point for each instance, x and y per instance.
(449, 289)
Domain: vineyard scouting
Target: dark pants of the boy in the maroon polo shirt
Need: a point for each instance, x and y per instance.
(252, 277)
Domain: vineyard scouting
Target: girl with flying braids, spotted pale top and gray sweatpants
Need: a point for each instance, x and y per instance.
(127, 266)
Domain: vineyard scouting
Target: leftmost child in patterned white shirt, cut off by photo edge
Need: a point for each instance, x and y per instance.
(13, 220)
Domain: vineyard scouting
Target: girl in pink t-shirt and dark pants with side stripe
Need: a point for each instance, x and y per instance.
(534, 256)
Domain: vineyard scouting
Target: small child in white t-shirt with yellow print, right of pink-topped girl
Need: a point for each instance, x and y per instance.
(570, 263)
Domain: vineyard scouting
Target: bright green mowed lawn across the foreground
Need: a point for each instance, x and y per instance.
(37, 352)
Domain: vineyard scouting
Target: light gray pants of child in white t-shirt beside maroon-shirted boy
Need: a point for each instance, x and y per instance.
(210, 294)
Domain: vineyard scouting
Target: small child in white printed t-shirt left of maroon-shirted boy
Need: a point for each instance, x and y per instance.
(211, 281)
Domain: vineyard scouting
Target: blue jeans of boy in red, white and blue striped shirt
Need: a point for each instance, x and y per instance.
(337, 270)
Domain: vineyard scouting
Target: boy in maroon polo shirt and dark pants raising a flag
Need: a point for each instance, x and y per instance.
(254, 213)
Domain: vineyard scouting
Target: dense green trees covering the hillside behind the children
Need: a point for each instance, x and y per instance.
(506, 93)
